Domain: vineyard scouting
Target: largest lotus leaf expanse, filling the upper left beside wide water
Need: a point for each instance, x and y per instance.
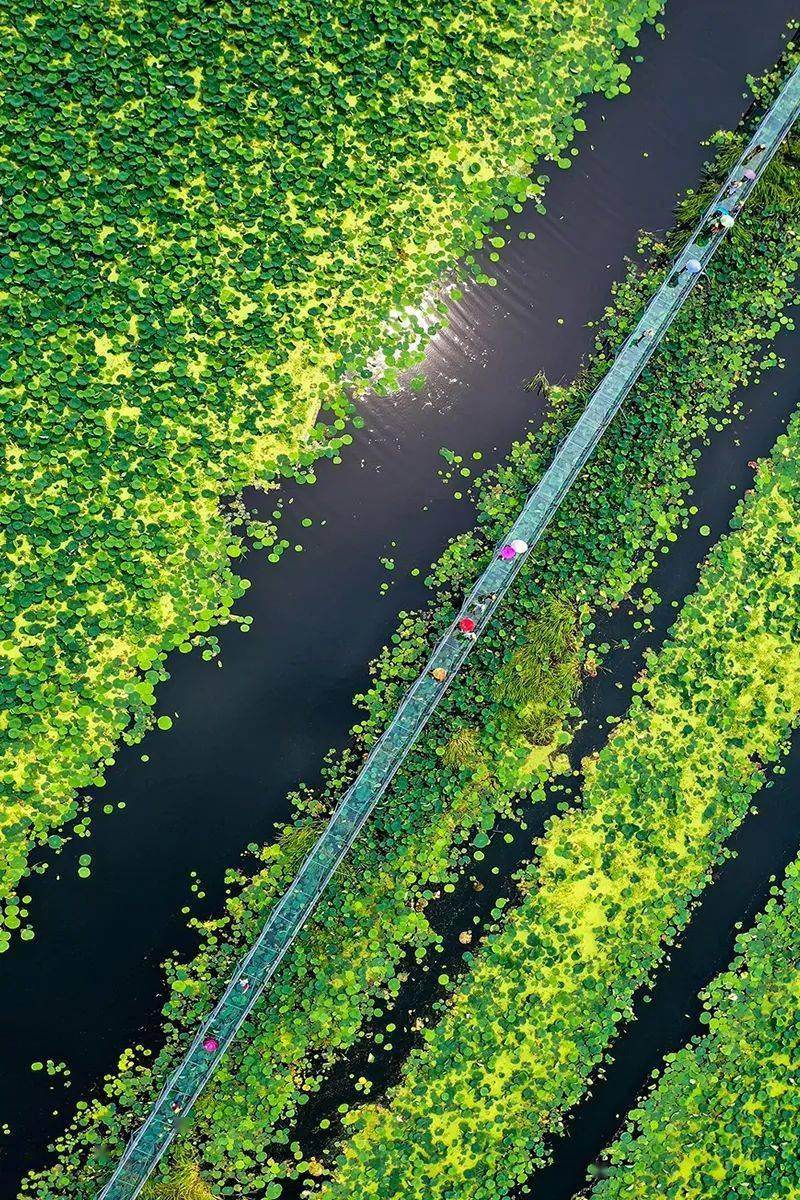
(212, 215)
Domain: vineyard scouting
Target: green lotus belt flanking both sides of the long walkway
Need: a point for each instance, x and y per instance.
(625, 511)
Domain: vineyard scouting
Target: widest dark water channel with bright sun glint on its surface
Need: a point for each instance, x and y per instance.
(246, 734)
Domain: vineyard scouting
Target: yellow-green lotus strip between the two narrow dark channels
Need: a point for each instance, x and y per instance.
(612, 885)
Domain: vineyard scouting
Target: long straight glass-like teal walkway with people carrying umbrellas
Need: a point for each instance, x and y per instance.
(290, 915)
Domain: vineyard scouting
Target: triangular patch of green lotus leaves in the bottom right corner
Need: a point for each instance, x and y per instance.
(723, 1120)
